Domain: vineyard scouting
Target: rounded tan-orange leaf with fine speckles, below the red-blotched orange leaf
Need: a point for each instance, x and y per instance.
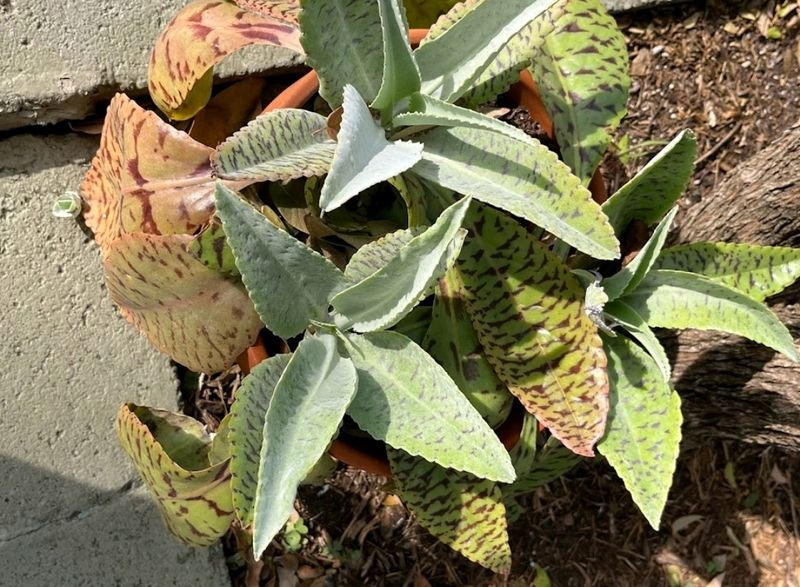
(197, 316)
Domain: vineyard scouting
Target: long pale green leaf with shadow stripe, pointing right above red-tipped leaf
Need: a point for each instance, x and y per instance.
(523, 178)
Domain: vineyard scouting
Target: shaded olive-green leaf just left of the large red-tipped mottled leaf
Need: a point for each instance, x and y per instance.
(452, 342)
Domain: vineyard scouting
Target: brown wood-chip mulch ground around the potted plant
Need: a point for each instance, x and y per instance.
(729, 71)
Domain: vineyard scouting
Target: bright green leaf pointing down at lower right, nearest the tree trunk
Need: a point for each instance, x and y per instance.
(644, 427)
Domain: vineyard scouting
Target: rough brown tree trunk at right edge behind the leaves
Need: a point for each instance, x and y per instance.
(730, 387)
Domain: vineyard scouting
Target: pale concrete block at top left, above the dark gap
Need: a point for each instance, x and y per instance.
(58, 59)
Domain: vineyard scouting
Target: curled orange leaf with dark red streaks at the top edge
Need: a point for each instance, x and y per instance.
(200, 35)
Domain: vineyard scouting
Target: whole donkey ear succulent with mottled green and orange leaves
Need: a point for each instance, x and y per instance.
(417, 256)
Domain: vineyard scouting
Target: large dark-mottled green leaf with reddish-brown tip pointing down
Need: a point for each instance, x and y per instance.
(527, 309)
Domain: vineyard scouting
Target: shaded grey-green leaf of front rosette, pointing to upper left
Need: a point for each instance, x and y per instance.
(288, 282)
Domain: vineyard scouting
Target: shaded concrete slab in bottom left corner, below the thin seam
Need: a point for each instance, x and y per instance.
(122, 543)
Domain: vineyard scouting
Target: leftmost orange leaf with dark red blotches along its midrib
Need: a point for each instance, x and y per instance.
(146, 177)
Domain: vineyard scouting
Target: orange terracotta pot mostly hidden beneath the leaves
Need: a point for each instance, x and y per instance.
(366, 453)
